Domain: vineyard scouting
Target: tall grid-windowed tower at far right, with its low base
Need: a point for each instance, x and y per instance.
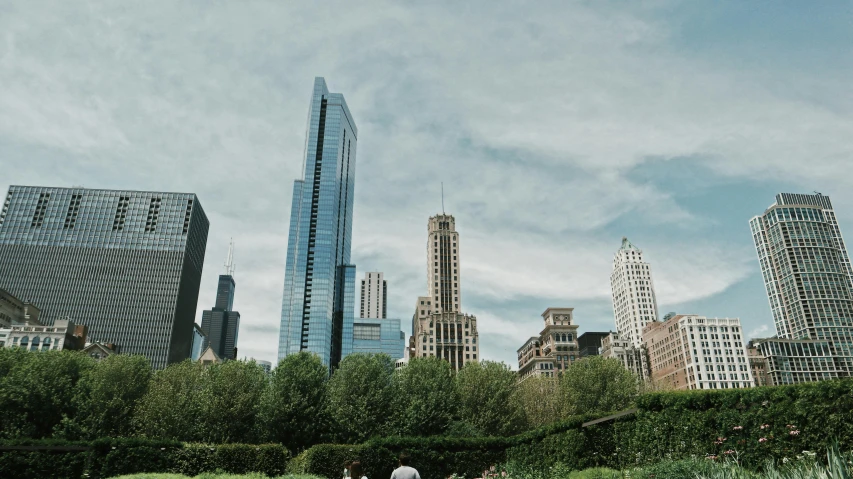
(809, 283)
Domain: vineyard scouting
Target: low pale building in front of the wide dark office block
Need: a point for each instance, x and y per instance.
(63, 334)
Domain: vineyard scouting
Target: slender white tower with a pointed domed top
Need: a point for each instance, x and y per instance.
(634, 302)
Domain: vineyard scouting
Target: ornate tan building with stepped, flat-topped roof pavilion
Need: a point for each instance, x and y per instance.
(554, 350)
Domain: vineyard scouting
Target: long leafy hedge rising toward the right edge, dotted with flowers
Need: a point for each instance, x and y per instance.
(666, 426)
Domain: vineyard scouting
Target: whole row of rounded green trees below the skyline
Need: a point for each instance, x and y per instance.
(68, 395)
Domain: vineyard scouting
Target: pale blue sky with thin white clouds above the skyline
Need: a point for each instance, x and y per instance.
(557, 128)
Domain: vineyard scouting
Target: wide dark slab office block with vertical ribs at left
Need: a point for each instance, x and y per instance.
(125, 263)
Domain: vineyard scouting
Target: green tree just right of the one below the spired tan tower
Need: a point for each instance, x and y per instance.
(488, 401)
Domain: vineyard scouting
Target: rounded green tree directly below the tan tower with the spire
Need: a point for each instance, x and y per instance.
(425, 398)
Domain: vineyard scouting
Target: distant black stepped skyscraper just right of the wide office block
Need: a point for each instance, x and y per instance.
(221, 324)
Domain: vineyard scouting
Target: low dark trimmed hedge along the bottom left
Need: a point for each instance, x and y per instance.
(107, 458)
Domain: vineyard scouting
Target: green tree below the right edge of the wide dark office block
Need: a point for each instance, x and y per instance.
(172, 407)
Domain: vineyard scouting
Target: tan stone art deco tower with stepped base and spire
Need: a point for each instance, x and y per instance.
(438, 327)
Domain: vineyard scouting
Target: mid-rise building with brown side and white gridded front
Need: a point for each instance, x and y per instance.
(695, 352)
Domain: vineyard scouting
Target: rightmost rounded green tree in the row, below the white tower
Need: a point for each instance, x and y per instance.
(597, 385)
